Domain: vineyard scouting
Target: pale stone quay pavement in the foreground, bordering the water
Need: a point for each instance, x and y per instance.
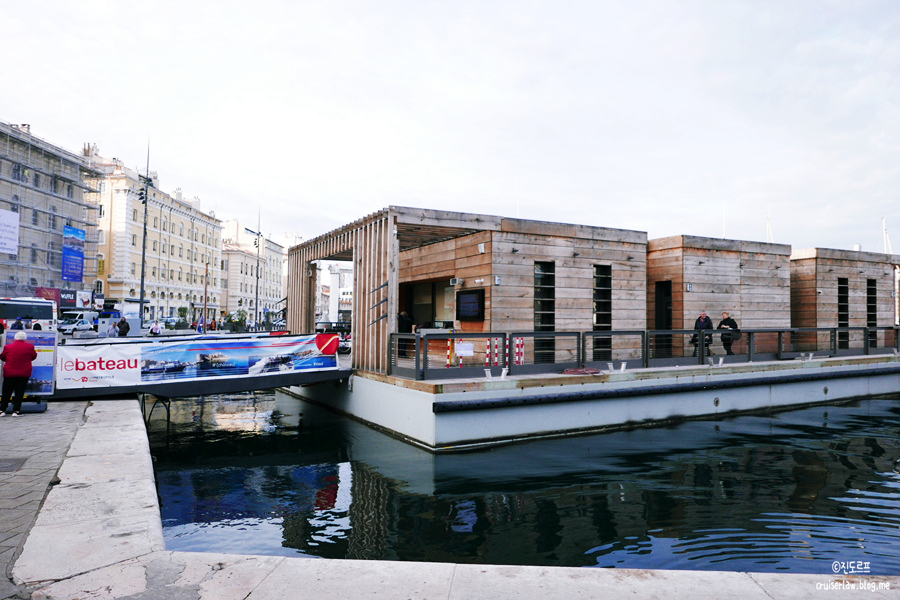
(98, 535)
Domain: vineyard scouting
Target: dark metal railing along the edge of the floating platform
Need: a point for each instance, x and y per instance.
(472, 355)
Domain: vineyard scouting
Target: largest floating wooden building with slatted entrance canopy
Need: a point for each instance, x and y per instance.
(474, 273)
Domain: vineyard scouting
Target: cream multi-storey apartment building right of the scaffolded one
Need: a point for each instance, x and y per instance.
(182, 270)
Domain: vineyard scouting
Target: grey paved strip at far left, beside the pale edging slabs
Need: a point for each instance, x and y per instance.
(32, 448)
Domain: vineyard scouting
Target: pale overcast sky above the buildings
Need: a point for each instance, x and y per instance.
(707, 118)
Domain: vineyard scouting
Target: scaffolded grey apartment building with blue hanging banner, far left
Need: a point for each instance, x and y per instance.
(48, 231)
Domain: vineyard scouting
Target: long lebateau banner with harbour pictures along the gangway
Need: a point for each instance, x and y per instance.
(111, 365)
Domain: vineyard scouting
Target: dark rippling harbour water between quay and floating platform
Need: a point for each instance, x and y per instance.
(801, 492)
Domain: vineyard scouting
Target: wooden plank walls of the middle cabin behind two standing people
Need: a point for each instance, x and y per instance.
(750, 280)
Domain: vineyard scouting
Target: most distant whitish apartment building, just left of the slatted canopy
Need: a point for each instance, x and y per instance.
(253, 273)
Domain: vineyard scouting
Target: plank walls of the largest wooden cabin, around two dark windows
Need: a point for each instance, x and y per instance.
(509, 306)
